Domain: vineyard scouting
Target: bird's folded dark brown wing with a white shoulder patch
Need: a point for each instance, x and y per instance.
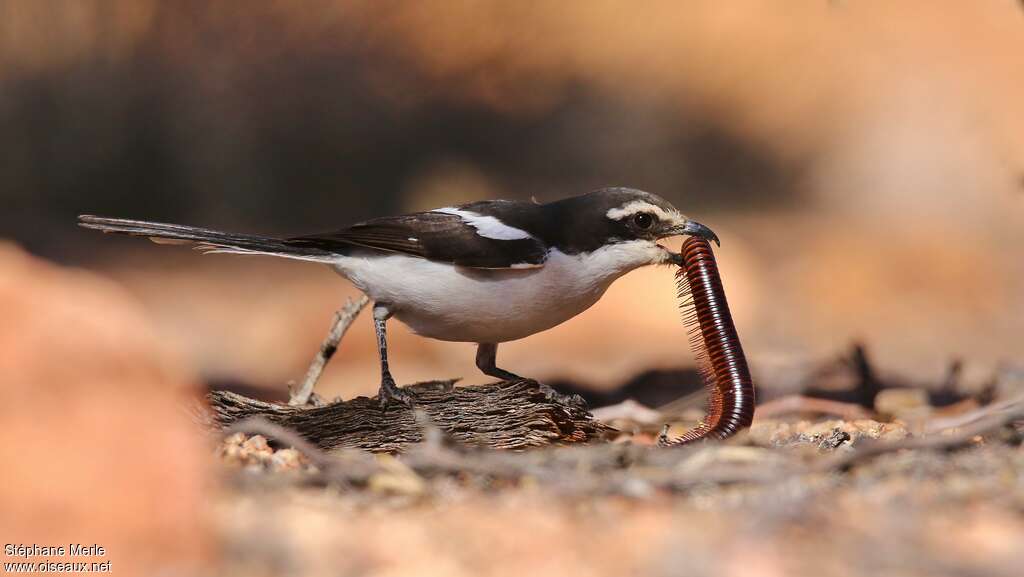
(452, 235)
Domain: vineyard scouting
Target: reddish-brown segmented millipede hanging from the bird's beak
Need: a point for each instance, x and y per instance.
(714, 341)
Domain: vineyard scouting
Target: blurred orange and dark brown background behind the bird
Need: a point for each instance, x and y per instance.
(863, 162)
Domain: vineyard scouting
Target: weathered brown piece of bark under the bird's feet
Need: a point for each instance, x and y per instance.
(514, 415)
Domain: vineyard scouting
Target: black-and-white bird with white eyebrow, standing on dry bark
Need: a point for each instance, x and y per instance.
(487, 273)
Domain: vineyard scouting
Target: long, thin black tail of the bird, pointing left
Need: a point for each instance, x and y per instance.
(206, 239)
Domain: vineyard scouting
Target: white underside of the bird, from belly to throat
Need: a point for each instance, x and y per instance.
(447, 303)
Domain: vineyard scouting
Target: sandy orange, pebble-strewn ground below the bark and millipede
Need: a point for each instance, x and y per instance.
(915, 513)
